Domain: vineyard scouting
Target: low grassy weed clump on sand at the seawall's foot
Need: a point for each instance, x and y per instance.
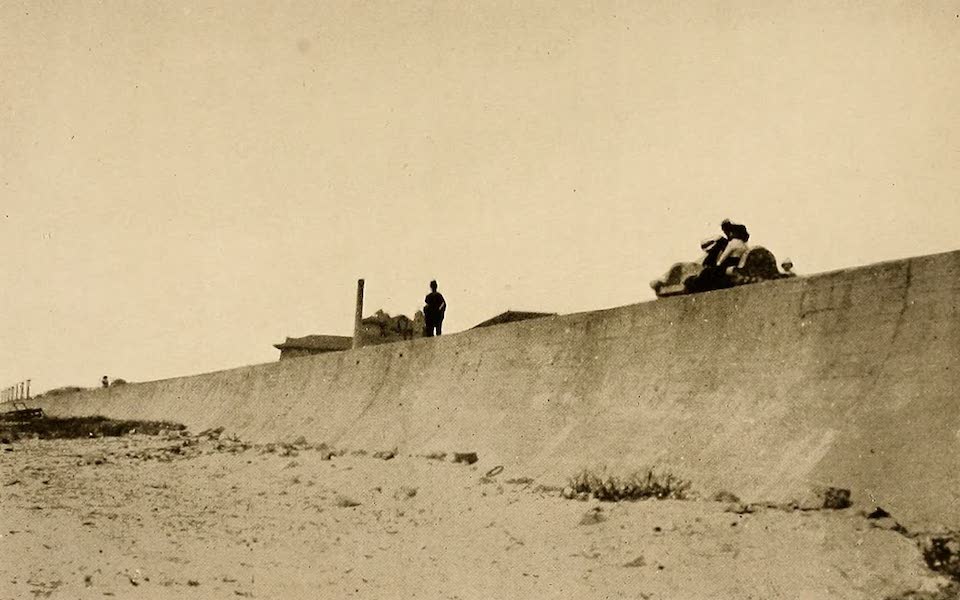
(638, 485)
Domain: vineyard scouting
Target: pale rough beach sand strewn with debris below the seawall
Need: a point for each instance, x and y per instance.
(148, 517)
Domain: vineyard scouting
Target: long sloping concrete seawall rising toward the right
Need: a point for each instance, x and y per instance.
(847, 379)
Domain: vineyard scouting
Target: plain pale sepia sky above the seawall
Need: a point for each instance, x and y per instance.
(184, 184)
